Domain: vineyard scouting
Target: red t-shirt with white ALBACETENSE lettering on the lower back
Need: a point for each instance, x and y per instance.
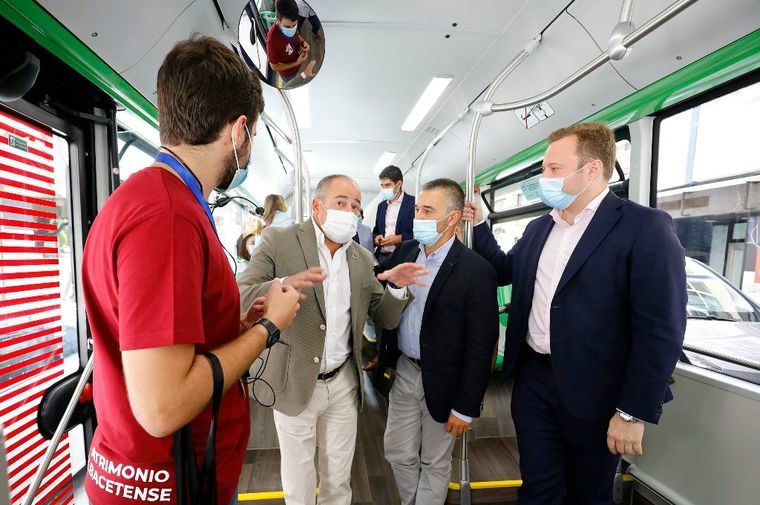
(155, 274)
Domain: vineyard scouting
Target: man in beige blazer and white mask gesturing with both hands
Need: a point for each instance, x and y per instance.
(312, 377)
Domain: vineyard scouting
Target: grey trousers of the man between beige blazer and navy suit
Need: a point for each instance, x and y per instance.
(417, 447)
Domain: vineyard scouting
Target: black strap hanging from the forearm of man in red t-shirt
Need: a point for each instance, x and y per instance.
(194, 487)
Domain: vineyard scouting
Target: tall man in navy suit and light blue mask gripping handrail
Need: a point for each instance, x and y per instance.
(596, 322)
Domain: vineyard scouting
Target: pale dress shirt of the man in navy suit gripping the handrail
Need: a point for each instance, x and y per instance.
(559, 247)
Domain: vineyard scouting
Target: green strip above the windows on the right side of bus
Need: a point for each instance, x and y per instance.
(734, 60)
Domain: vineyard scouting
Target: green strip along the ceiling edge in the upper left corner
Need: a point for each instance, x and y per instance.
(47, 31)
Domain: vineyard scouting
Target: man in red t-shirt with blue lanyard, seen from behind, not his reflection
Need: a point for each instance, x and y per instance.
(159, 290)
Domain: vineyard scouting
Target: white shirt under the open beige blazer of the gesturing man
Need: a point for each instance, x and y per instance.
(337, 290)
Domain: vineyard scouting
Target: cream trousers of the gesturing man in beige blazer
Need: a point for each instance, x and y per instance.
(329, 421)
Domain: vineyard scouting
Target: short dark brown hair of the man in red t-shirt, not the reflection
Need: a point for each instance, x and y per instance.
(202, 86)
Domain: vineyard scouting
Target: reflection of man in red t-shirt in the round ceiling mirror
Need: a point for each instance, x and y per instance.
(286, 50)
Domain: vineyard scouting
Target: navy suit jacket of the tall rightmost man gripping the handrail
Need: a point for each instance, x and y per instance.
(619, 313)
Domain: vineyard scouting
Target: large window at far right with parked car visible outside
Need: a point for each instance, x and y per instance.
(708, 180)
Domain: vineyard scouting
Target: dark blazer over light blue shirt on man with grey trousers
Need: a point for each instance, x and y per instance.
(460, 328)
